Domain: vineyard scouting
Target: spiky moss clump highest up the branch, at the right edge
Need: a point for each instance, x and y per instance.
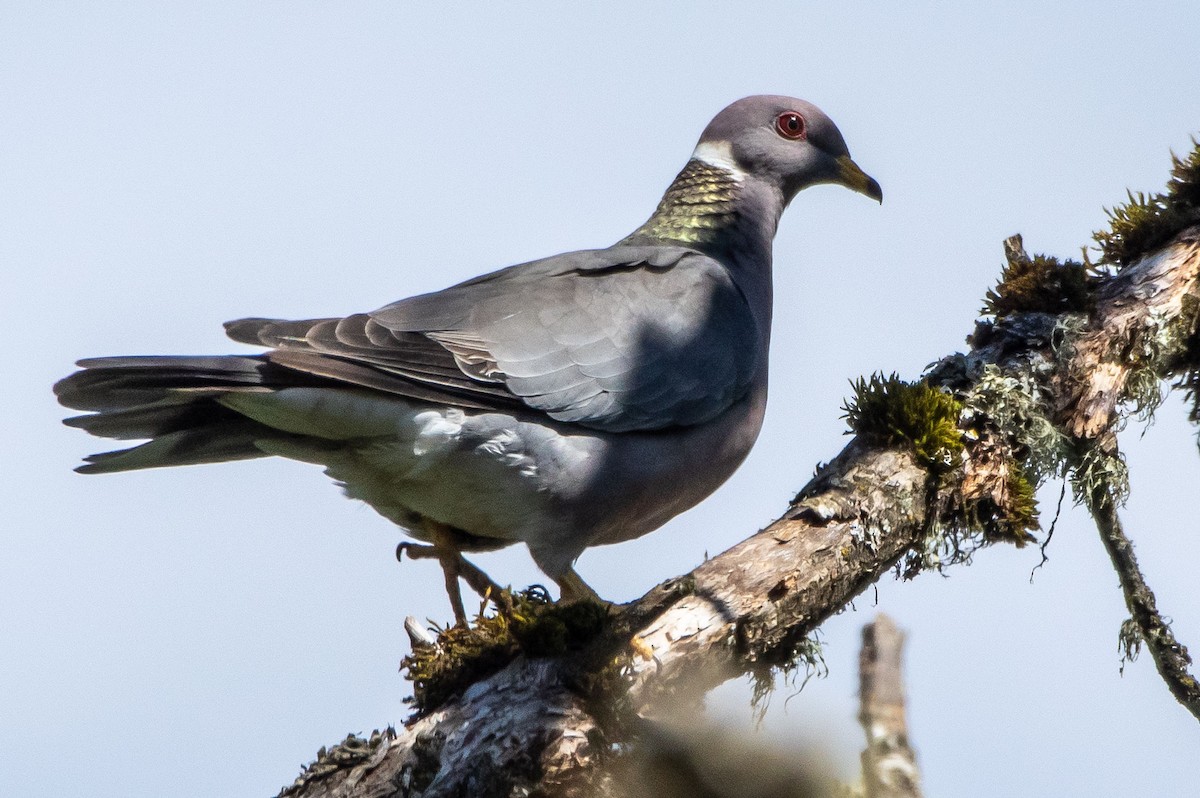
(1149, 221)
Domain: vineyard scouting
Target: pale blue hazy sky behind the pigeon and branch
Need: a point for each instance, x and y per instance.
(166, 167)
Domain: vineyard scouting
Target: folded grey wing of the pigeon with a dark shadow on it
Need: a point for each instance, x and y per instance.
(621, 339)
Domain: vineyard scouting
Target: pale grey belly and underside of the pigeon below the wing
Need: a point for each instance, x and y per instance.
(555, 488)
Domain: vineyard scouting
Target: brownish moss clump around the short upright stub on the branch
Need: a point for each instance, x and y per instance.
(1041, 285)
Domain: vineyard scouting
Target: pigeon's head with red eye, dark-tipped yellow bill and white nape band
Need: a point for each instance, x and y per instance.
(788, 143)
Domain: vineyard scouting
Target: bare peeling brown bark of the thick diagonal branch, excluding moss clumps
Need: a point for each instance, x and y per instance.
(550, 727)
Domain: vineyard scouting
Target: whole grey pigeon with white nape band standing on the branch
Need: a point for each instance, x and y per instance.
(580, 400)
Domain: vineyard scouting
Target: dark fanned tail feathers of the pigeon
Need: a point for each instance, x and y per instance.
(172, 403)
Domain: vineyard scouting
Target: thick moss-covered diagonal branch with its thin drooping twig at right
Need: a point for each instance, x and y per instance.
(938, 466)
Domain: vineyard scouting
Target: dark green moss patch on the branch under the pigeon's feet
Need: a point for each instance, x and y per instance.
(536, 627)
